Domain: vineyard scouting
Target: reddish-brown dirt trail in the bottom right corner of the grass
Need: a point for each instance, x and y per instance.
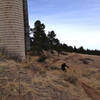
(92, 93)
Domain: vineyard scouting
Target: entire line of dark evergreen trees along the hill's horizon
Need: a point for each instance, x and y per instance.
(40, 41)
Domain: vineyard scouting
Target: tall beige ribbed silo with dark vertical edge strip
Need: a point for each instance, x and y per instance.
(13, 27)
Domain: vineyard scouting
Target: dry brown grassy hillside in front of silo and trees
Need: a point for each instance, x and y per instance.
(44, 80)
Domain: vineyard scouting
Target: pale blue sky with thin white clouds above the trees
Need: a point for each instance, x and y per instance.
(75, 22)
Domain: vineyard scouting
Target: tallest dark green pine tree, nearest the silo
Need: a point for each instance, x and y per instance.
(39, 41)
